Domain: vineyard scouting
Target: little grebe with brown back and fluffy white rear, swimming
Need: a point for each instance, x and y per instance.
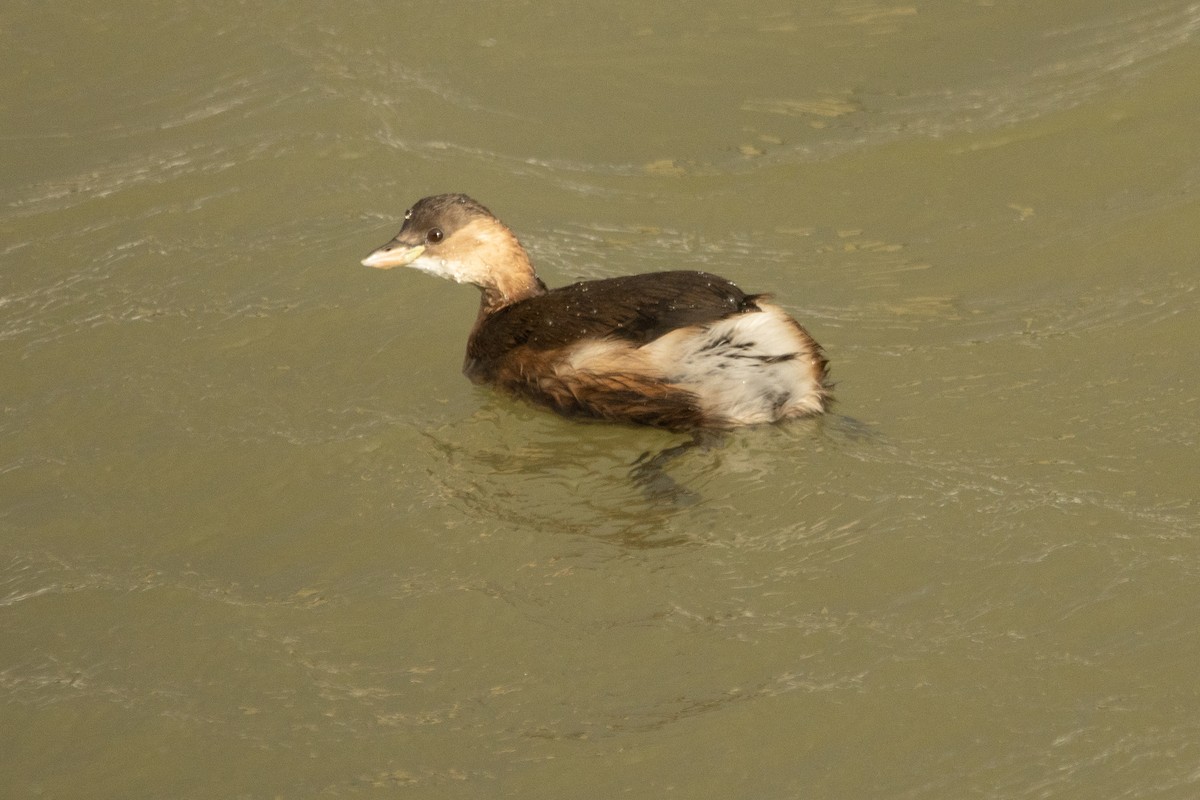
(677, 351)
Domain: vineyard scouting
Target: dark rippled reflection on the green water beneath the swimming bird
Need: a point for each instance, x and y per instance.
(633, 488)
